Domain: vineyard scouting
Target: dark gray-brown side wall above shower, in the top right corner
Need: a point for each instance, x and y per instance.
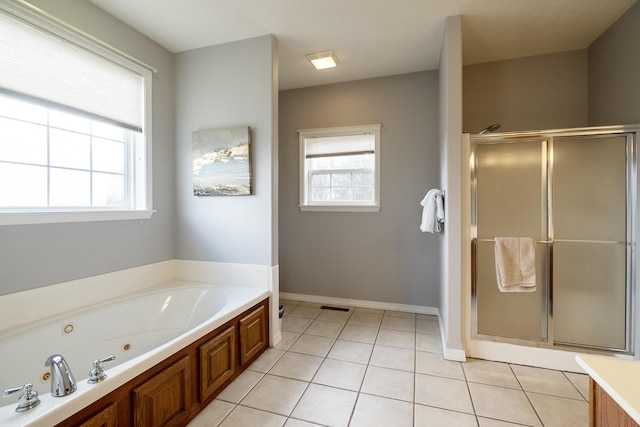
(614, 79)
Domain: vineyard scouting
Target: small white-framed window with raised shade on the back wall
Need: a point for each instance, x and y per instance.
(340, 169)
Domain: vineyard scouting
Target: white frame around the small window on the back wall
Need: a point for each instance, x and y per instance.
(304, 180)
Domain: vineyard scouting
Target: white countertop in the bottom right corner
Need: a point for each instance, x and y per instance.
(619, 378)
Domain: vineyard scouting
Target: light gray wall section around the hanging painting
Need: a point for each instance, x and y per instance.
(219, 86)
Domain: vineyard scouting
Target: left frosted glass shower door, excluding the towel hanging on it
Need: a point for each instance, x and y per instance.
(511, 200)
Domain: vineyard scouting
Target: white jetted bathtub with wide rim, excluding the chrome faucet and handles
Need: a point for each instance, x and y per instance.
(140, 329)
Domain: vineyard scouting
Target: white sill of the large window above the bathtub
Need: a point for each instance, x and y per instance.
(51, 217)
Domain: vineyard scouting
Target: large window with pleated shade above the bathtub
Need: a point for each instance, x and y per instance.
(74, 124)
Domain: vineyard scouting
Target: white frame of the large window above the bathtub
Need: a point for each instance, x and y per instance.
(140, 176)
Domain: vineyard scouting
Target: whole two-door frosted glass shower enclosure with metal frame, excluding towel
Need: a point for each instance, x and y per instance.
(574, 193)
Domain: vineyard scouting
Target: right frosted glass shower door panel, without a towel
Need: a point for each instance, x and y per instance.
(590, 257)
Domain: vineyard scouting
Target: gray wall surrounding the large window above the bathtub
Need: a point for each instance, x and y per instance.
(36, 255)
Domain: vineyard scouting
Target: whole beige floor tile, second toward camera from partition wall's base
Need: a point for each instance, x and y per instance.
(443, 393)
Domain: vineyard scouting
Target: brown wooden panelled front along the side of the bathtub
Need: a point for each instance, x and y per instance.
(173, 392)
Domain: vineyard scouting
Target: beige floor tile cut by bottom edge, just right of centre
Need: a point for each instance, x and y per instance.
(376, 411)
